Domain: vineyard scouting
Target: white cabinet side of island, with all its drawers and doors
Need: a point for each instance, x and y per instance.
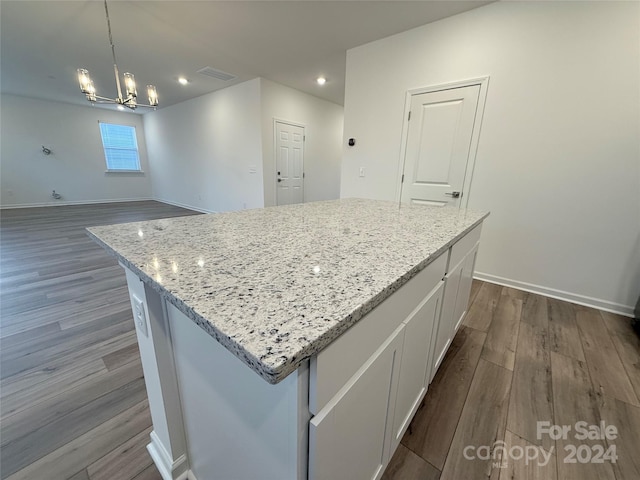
(365, 388)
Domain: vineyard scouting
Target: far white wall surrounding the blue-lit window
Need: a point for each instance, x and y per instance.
(76, 168)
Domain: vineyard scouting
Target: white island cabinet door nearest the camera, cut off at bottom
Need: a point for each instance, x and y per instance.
(349, 437)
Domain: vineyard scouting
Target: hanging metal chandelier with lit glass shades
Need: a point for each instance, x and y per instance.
(130, 100)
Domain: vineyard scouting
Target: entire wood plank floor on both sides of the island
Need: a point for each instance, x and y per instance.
(73, 403)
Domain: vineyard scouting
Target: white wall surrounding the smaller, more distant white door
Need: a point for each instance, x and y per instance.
(323, 123)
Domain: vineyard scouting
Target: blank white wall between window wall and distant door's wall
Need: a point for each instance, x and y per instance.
(201, 151)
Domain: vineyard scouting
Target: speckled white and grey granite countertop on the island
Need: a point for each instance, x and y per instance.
(277, 285)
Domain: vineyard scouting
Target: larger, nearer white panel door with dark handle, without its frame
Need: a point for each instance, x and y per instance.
(438, 147)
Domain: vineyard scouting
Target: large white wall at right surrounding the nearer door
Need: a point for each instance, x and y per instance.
(558, 161)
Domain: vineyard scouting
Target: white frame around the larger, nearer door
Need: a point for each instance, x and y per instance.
(483, 82)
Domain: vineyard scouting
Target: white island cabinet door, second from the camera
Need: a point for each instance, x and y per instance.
(415, 366)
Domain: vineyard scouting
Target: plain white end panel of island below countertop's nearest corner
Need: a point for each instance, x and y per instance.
(237, 425)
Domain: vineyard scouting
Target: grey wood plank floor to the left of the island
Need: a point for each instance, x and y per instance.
(72, 397)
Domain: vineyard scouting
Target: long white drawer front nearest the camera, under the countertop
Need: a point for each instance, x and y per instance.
(337, 363)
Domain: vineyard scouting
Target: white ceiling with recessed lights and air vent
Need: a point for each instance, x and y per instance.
(290, 42)
